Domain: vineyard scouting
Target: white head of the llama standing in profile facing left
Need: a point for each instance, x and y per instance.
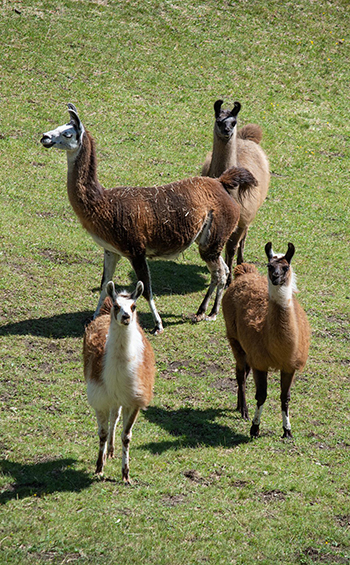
(67, 137)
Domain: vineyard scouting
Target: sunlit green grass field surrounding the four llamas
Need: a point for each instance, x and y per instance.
(144, 76)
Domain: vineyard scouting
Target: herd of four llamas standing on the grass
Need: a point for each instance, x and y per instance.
(266, 326)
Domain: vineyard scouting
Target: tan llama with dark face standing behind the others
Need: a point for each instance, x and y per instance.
(232, 148)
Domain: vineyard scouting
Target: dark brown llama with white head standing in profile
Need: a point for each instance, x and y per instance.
(154, 222)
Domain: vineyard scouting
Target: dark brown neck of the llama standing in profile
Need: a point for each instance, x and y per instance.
(84, 190)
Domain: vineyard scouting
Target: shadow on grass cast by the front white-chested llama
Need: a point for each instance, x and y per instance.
(38, 479)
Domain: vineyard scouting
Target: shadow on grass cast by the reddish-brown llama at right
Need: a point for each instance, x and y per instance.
(192, 428)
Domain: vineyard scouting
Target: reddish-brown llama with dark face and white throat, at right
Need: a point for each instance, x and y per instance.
(267, 329)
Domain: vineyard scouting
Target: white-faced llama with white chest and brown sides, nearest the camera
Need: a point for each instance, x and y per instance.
(119, 370)
